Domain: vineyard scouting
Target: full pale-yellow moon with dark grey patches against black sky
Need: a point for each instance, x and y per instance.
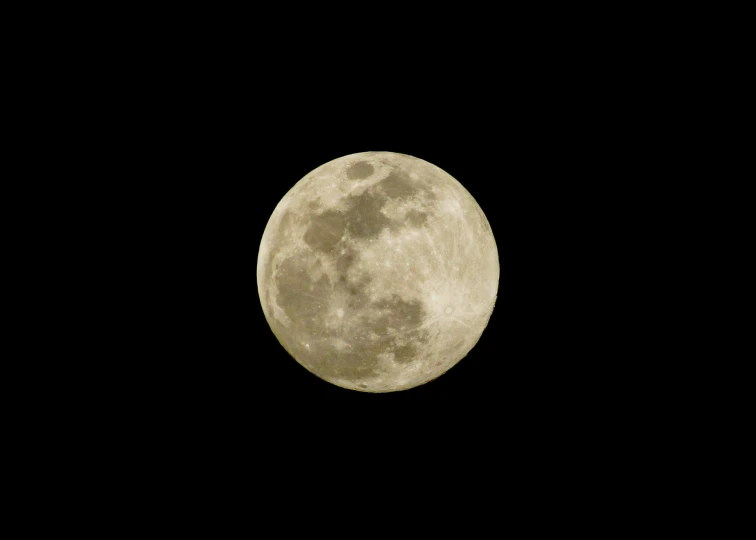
(378, 272)
